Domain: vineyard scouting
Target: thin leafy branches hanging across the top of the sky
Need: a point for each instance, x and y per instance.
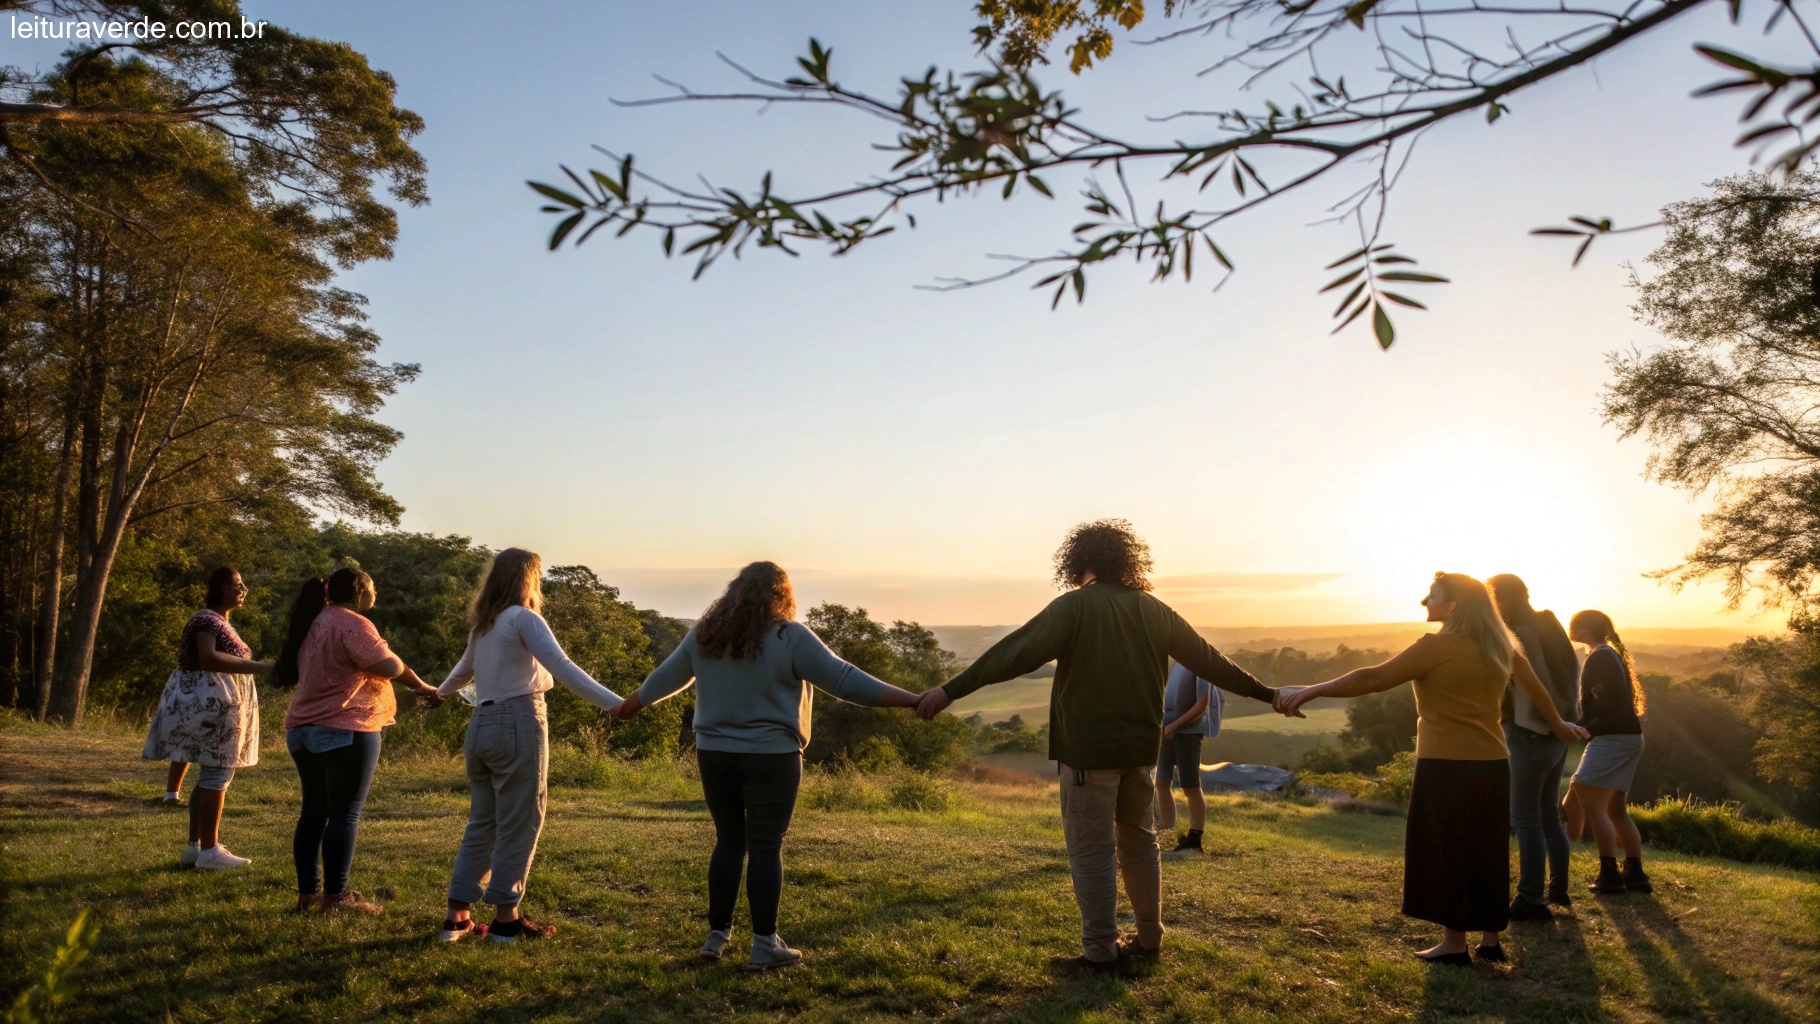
(1308, 92)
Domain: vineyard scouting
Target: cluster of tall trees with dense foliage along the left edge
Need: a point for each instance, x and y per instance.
(177, 361)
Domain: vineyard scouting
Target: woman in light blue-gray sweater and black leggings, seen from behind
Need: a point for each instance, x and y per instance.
(753, 670)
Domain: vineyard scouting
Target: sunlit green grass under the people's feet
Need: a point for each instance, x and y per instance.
(927, 916)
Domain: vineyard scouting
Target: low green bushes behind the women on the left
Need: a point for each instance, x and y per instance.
(423, 585)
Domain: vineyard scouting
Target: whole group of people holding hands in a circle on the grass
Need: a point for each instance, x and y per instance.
(1499, 694)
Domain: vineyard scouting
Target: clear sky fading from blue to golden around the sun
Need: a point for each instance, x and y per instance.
(922, 454)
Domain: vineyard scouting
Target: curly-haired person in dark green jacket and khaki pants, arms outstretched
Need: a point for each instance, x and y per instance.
(1113, 643)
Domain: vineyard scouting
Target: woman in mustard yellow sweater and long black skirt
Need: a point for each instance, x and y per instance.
(1457, 850)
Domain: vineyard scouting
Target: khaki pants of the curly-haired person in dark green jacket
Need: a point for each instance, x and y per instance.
(1109, 821)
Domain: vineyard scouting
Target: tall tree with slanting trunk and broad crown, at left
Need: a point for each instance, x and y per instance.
(207, 356)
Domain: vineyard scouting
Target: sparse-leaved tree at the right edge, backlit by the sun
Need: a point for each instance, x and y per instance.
(1732, 405)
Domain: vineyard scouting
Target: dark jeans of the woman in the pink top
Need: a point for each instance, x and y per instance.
(336, 787)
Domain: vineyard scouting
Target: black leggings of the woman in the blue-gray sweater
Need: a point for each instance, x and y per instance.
(751, 798)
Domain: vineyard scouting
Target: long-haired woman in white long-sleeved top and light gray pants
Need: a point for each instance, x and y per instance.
(511, 659)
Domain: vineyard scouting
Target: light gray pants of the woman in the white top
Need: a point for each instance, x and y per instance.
(509, 761)
